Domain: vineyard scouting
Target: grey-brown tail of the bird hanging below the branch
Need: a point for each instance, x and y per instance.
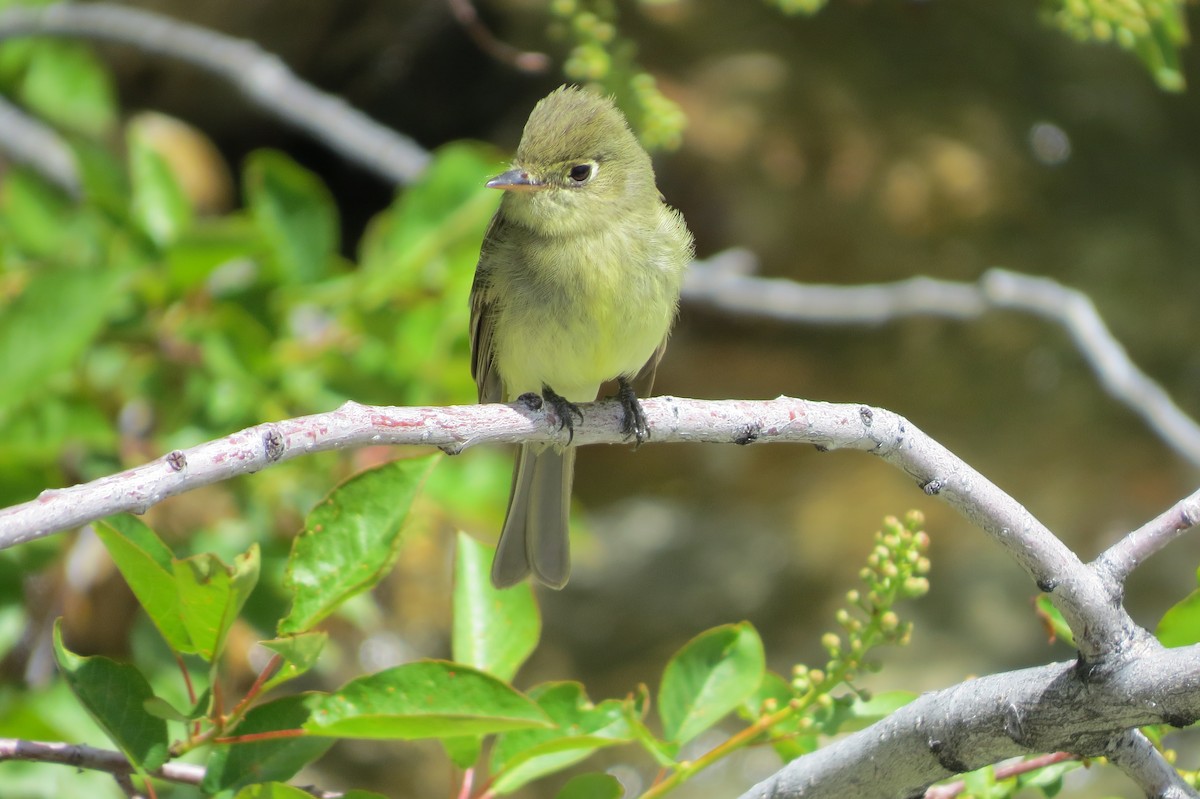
(535, 538)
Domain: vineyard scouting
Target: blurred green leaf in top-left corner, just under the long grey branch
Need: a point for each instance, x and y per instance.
(68, 86)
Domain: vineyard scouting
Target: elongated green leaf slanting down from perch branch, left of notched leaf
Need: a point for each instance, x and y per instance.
(147, 564)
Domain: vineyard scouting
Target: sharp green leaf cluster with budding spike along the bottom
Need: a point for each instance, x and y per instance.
(502, 736)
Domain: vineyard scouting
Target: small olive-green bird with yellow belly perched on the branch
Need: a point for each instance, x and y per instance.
(578, 285)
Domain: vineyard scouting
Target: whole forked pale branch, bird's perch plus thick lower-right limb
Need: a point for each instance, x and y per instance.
(1123, 680)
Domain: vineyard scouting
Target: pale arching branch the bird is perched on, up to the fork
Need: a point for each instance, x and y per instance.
(1088, 603)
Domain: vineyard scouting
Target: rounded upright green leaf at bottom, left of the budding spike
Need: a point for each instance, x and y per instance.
(709, 678)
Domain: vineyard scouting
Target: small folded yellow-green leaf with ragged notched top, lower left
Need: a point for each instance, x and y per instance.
(212, 594)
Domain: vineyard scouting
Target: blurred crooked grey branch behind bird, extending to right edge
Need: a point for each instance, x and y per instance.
(725, 284)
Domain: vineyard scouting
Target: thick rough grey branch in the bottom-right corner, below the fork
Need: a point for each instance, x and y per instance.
(1063, 707)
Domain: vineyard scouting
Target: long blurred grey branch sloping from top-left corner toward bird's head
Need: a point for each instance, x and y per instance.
(261, 76)
